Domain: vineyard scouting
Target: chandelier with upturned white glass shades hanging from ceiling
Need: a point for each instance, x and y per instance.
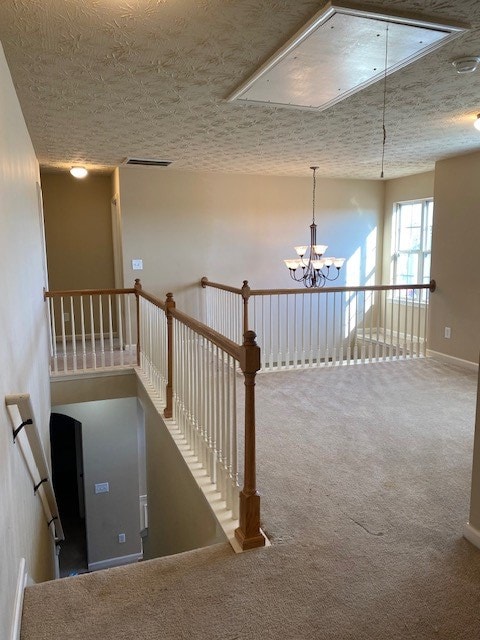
(316, 270)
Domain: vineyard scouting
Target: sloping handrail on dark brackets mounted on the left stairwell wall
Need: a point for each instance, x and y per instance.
(42, 479)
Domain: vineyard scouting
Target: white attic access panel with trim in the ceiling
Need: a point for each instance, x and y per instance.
(340, 51)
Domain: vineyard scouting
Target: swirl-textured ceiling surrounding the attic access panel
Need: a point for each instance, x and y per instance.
(100, 80)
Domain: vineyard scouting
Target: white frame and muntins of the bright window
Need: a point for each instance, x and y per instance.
(421, 252)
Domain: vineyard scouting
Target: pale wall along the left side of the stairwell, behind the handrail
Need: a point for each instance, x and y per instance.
(23, 349)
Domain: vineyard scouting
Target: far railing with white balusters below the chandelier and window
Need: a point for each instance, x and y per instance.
(300, 328)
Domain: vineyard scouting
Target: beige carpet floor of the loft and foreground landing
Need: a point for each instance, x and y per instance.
(364, 473)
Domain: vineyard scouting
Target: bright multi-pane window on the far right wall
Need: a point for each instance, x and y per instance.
(412, 242)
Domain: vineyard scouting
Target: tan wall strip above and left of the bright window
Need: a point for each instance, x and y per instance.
(414, 187)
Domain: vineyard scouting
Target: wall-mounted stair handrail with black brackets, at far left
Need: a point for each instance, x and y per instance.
(22, 401)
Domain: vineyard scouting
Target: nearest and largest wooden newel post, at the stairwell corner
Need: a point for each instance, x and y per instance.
(248, 533)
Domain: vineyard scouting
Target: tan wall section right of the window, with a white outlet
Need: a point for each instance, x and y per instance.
(455, 258)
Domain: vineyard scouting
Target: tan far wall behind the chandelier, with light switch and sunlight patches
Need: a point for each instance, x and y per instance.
(233, 227)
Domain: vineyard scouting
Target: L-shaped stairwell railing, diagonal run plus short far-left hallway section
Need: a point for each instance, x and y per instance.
(193, 369)
